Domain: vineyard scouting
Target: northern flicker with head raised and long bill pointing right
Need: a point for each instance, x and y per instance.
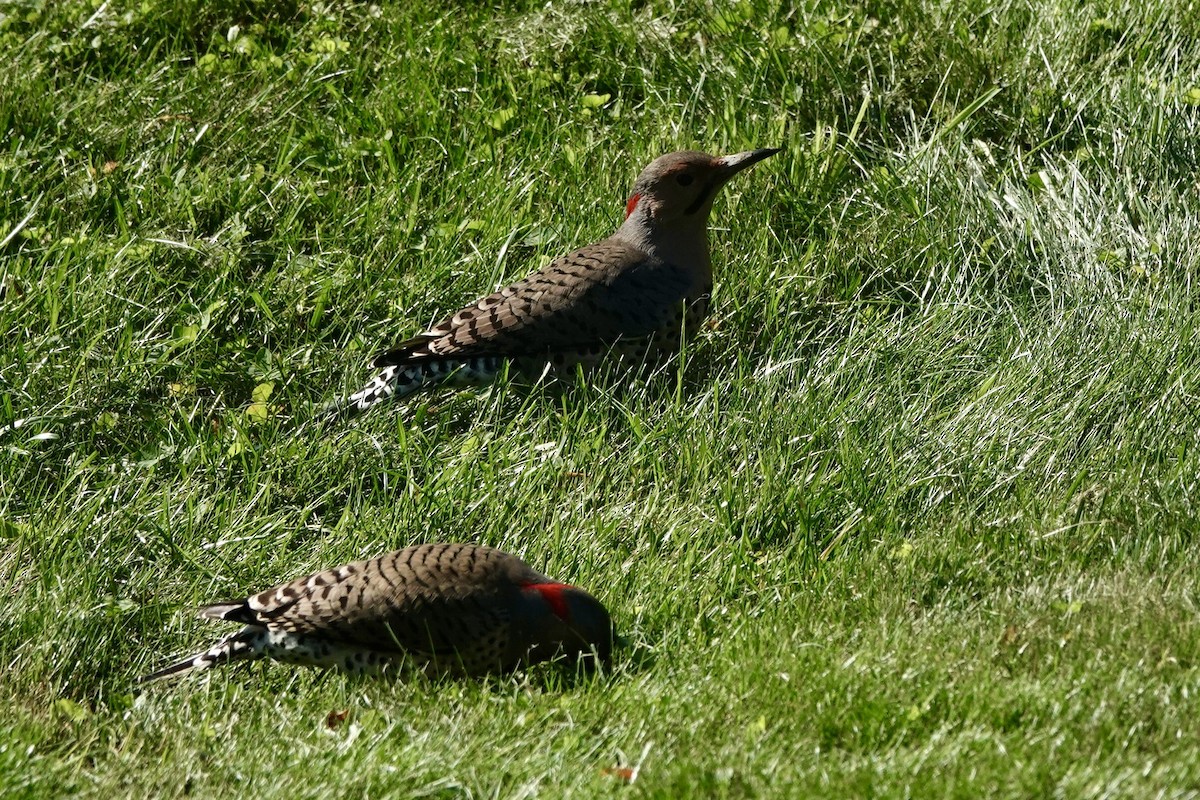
(635, 293)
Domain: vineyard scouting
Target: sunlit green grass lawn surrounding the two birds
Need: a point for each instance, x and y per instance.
(915, 518)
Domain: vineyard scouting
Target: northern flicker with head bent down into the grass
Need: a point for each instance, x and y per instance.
(445, 609)
